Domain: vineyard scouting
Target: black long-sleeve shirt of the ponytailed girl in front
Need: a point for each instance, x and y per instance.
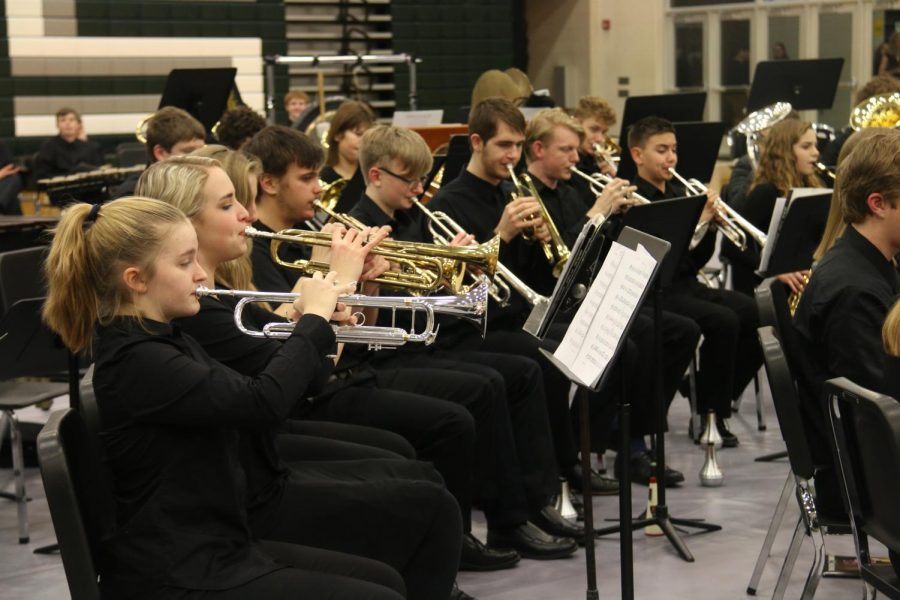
(170, 417)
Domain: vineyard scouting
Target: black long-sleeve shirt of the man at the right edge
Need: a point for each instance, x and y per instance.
(838, 327)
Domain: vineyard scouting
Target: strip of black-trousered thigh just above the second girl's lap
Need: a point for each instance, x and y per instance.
(323, 440)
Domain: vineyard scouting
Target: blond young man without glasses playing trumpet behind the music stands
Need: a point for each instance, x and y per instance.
(551, 147)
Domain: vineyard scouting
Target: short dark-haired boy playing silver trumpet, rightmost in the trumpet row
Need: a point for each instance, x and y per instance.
(730, 355)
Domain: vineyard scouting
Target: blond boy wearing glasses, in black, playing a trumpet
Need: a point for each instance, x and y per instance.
(394, 161)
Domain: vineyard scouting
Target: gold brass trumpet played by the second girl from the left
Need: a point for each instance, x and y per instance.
(424, 268)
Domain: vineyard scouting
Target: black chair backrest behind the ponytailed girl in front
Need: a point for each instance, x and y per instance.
(79, 498)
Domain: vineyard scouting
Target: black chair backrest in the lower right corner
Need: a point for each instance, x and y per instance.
(866, 435)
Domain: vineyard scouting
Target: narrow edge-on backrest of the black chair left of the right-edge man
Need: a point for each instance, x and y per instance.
(787, 404)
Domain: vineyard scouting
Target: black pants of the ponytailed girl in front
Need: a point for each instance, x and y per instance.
(312, 573)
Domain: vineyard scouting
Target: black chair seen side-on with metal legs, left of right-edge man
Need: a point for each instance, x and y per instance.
(810, 523)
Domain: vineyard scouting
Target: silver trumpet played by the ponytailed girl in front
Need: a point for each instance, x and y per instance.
(471, 306)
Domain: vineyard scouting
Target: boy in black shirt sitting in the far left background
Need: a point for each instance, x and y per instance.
(70, 151)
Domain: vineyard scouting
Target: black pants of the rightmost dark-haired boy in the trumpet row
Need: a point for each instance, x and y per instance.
(730, 354)
